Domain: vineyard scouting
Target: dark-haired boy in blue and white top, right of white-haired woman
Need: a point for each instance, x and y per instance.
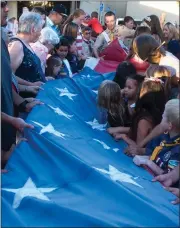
(61, 51)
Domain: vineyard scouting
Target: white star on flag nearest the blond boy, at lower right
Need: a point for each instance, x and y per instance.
(116, 175)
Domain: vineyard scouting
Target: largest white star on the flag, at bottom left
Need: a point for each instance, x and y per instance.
(29, 189)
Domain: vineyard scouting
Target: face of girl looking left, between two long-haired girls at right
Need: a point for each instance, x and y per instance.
(130, 89)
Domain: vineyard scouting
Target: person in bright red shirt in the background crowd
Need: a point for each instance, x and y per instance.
(95, 24)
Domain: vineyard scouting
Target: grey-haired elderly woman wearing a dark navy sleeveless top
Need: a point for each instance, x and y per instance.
(25, 63)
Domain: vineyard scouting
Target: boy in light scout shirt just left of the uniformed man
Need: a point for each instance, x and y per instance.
(87, 42)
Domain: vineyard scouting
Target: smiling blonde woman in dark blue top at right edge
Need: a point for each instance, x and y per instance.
(172, 38)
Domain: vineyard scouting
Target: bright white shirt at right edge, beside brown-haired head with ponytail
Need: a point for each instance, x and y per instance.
(171, 62)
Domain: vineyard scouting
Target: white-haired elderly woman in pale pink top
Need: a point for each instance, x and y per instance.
(47, 40)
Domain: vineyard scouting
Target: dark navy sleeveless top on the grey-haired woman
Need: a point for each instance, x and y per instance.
(30, 68)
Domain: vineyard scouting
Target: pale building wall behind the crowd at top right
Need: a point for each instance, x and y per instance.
(136, 9)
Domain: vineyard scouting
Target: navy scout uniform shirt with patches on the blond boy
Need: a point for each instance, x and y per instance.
(169, 156)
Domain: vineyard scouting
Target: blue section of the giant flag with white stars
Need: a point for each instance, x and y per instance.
(72, 173)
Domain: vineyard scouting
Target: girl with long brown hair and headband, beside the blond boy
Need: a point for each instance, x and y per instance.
(148, 111)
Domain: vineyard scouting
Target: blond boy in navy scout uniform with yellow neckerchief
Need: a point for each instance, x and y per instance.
(165, 149)
